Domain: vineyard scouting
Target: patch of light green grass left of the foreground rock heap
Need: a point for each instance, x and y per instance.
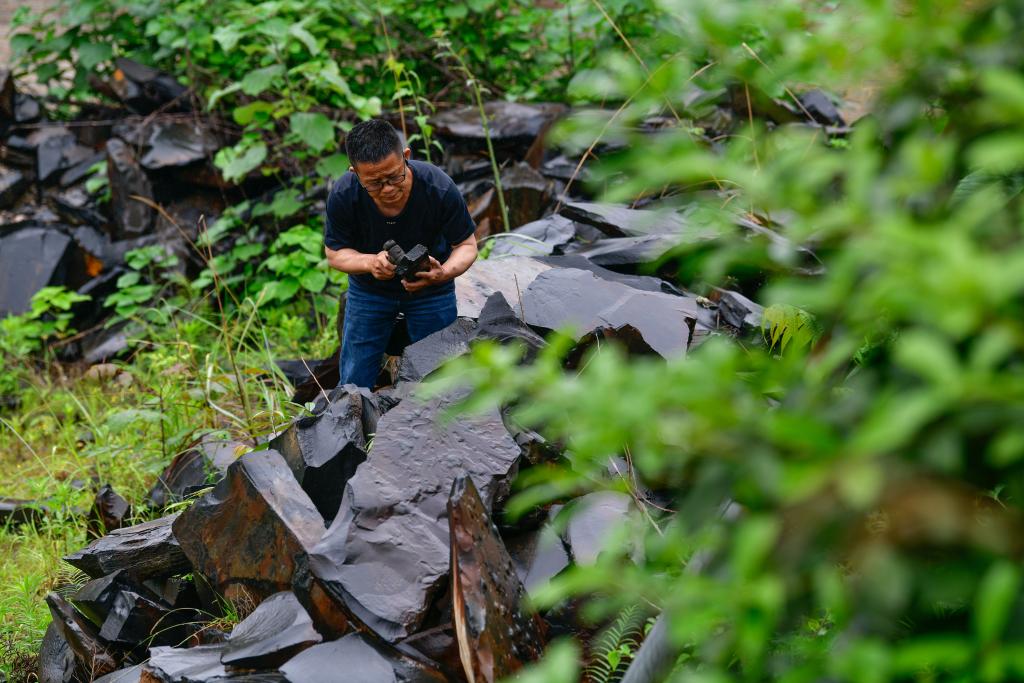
(73, 434)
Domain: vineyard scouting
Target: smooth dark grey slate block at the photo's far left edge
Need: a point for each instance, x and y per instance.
(30, 261)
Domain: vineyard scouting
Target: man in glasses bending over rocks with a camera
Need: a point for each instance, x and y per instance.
(386, 196)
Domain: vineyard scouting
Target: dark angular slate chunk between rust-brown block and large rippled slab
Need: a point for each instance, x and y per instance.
(324, 451)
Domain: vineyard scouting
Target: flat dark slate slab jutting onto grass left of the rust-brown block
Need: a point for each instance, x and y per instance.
(144, 550)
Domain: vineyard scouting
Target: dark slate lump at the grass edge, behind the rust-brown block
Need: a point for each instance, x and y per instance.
(193, 471)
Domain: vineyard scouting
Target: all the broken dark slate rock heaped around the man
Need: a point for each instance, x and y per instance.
(367, 541)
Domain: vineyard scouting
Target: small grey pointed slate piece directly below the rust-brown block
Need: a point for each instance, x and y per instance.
(277, 630)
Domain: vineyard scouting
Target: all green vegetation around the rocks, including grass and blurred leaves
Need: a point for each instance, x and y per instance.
(841, 502)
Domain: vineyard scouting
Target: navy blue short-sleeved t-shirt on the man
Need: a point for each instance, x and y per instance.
(436, 217)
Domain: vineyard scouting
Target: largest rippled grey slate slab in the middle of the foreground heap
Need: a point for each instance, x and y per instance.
(387, 554)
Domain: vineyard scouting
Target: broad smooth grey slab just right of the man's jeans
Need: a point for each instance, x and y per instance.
(569, 297)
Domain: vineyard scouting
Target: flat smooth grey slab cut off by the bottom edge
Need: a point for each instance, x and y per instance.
(362, 660)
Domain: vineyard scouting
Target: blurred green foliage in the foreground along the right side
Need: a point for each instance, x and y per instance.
(846, 501)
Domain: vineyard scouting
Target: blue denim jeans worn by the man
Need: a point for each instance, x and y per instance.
(370, 319)
